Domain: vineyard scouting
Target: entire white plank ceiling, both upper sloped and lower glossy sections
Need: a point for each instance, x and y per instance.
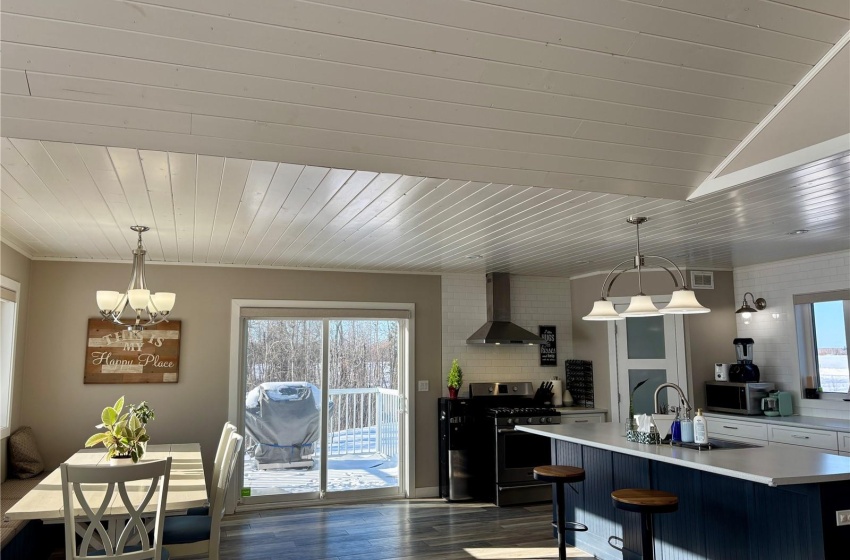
(522, 132)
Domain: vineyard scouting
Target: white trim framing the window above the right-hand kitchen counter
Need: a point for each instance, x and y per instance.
(804, 322)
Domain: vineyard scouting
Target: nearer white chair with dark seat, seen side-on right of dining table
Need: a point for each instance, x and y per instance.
(195, 535)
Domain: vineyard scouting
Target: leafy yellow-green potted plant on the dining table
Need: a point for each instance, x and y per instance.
(125, 436)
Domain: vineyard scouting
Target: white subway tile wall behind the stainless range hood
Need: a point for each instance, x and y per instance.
(534, 301)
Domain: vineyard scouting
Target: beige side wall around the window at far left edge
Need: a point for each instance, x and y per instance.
(17, 267)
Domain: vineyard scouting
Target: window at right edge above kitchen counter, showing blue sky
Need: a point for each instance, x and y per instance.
(823, 321)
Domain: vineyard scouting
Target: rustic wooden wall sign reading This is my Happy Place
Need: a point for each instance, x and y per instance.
(116, 355)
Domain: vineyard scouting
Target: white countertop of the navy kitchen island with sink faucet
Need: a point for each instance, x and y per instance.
(774, 466)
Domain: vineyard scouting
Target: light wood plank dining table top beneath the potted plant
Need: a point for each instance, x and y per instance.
(187, 486)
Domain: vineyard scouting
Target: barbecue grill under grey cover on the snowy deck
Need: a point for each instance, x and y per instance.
(282, 421)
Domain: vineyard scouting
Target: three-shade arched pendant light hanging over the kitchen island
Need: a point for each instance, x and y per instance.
(683, 300)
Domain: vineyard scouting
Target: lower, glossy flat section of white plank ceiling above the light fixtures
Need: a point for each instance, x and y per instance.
(77, 201)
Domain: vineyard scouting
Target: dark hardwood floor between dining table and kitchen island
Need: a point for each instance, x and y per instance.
(395, 530)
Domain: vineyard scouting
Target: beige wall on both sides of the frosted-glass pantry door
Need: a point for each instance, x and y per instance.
(708, 337)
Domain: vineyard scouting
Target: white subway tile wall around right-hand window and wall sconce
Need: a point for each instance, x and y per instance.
(776, 339)
